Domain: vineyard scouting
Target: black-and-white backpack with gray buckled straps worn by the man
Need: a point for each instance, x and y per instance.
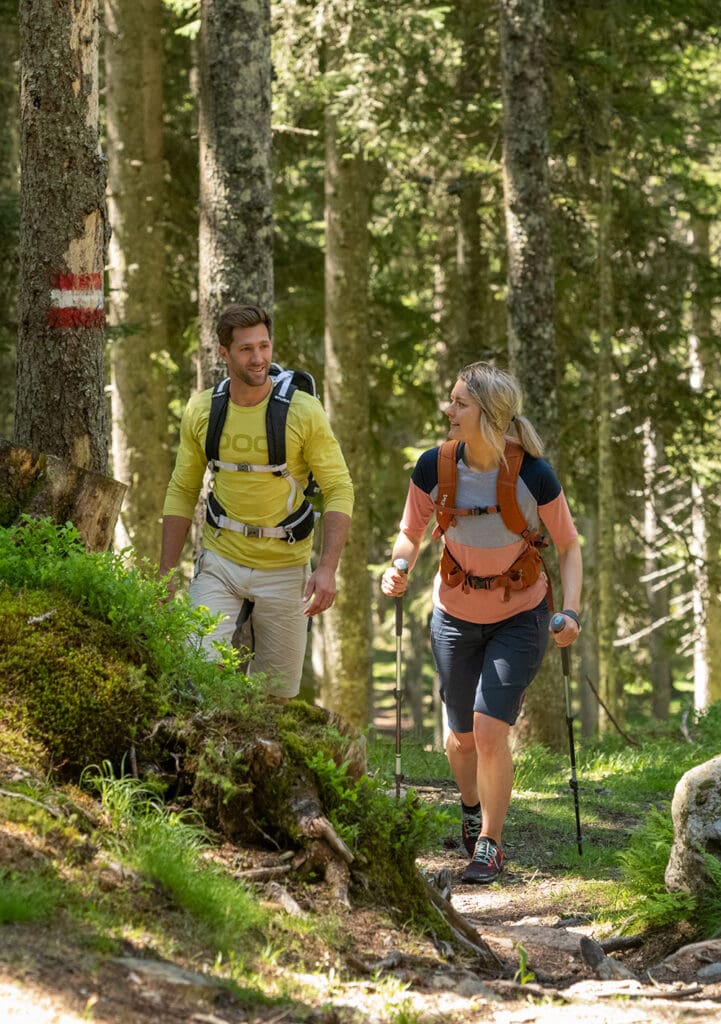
(299, 524)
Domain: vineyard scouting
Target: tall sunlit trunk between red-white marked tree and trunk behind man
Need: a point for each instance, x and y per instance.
(138, 294)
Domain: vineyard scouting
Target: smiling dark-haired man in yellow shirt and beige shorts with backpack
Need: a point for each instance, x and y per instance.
(259, 532)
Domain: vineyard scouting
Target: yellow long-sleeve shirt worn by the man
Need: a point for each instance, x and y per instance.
(260, 499)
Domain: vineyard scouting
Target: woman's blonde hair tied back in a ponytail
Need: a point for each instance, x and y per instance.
(499, 397)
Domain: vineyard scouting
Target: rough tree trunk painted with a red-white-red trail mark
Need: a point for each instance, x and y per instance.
(61, 404)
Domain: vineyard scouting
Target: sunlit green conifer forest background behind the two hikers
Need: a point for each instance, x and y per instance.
(389, 169)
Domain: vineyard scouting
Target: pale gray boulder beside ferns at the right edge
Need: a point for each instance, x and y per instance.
(697, 816)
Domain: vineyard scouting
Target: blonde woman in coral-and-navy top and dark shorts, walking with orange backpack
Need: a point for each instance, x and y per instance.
(491, 491)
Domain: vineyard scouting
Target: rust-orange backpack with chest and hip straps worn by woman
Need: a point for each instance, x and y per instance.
(529, 567)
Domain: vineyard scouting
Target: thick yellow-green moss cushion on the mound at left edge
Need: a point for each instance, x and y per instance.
(68, 684)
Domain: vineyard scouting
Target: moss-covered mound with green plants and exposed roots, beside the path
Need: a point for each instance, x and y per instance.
(96, 663)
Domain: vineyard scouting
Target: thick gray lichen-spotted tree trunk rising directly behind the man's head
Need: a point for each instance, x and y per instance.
(236, 226)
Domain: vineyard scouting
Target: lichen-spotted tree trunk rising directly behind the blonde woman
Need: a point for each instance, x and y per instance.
(531, 303)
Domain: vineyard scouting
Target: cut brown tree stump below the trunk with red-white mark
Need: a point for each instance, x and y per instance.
(40, 485)
